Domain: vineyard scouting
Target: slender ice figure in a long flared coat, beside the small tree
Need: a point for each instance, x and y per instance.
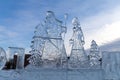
(78, 57)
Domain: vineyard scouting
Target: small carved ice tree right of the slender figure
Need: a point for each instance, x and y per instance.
(94, 55)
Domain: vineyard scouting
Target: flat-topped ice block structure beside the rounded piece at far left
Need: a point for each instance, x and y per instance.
(20, 52)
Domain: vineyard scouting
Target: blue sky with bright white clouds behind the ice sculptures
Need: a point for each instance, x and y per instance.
(100, 20)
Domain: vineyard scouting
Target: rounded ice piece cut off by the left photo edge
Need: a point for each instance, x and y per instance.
(3, 58)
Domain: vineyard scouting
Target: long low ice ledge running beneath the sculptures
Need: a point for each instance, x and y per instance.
(52, 74)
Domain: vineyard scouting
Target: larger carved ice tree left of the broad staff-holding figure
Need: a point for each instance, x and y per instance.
(37, 45)
